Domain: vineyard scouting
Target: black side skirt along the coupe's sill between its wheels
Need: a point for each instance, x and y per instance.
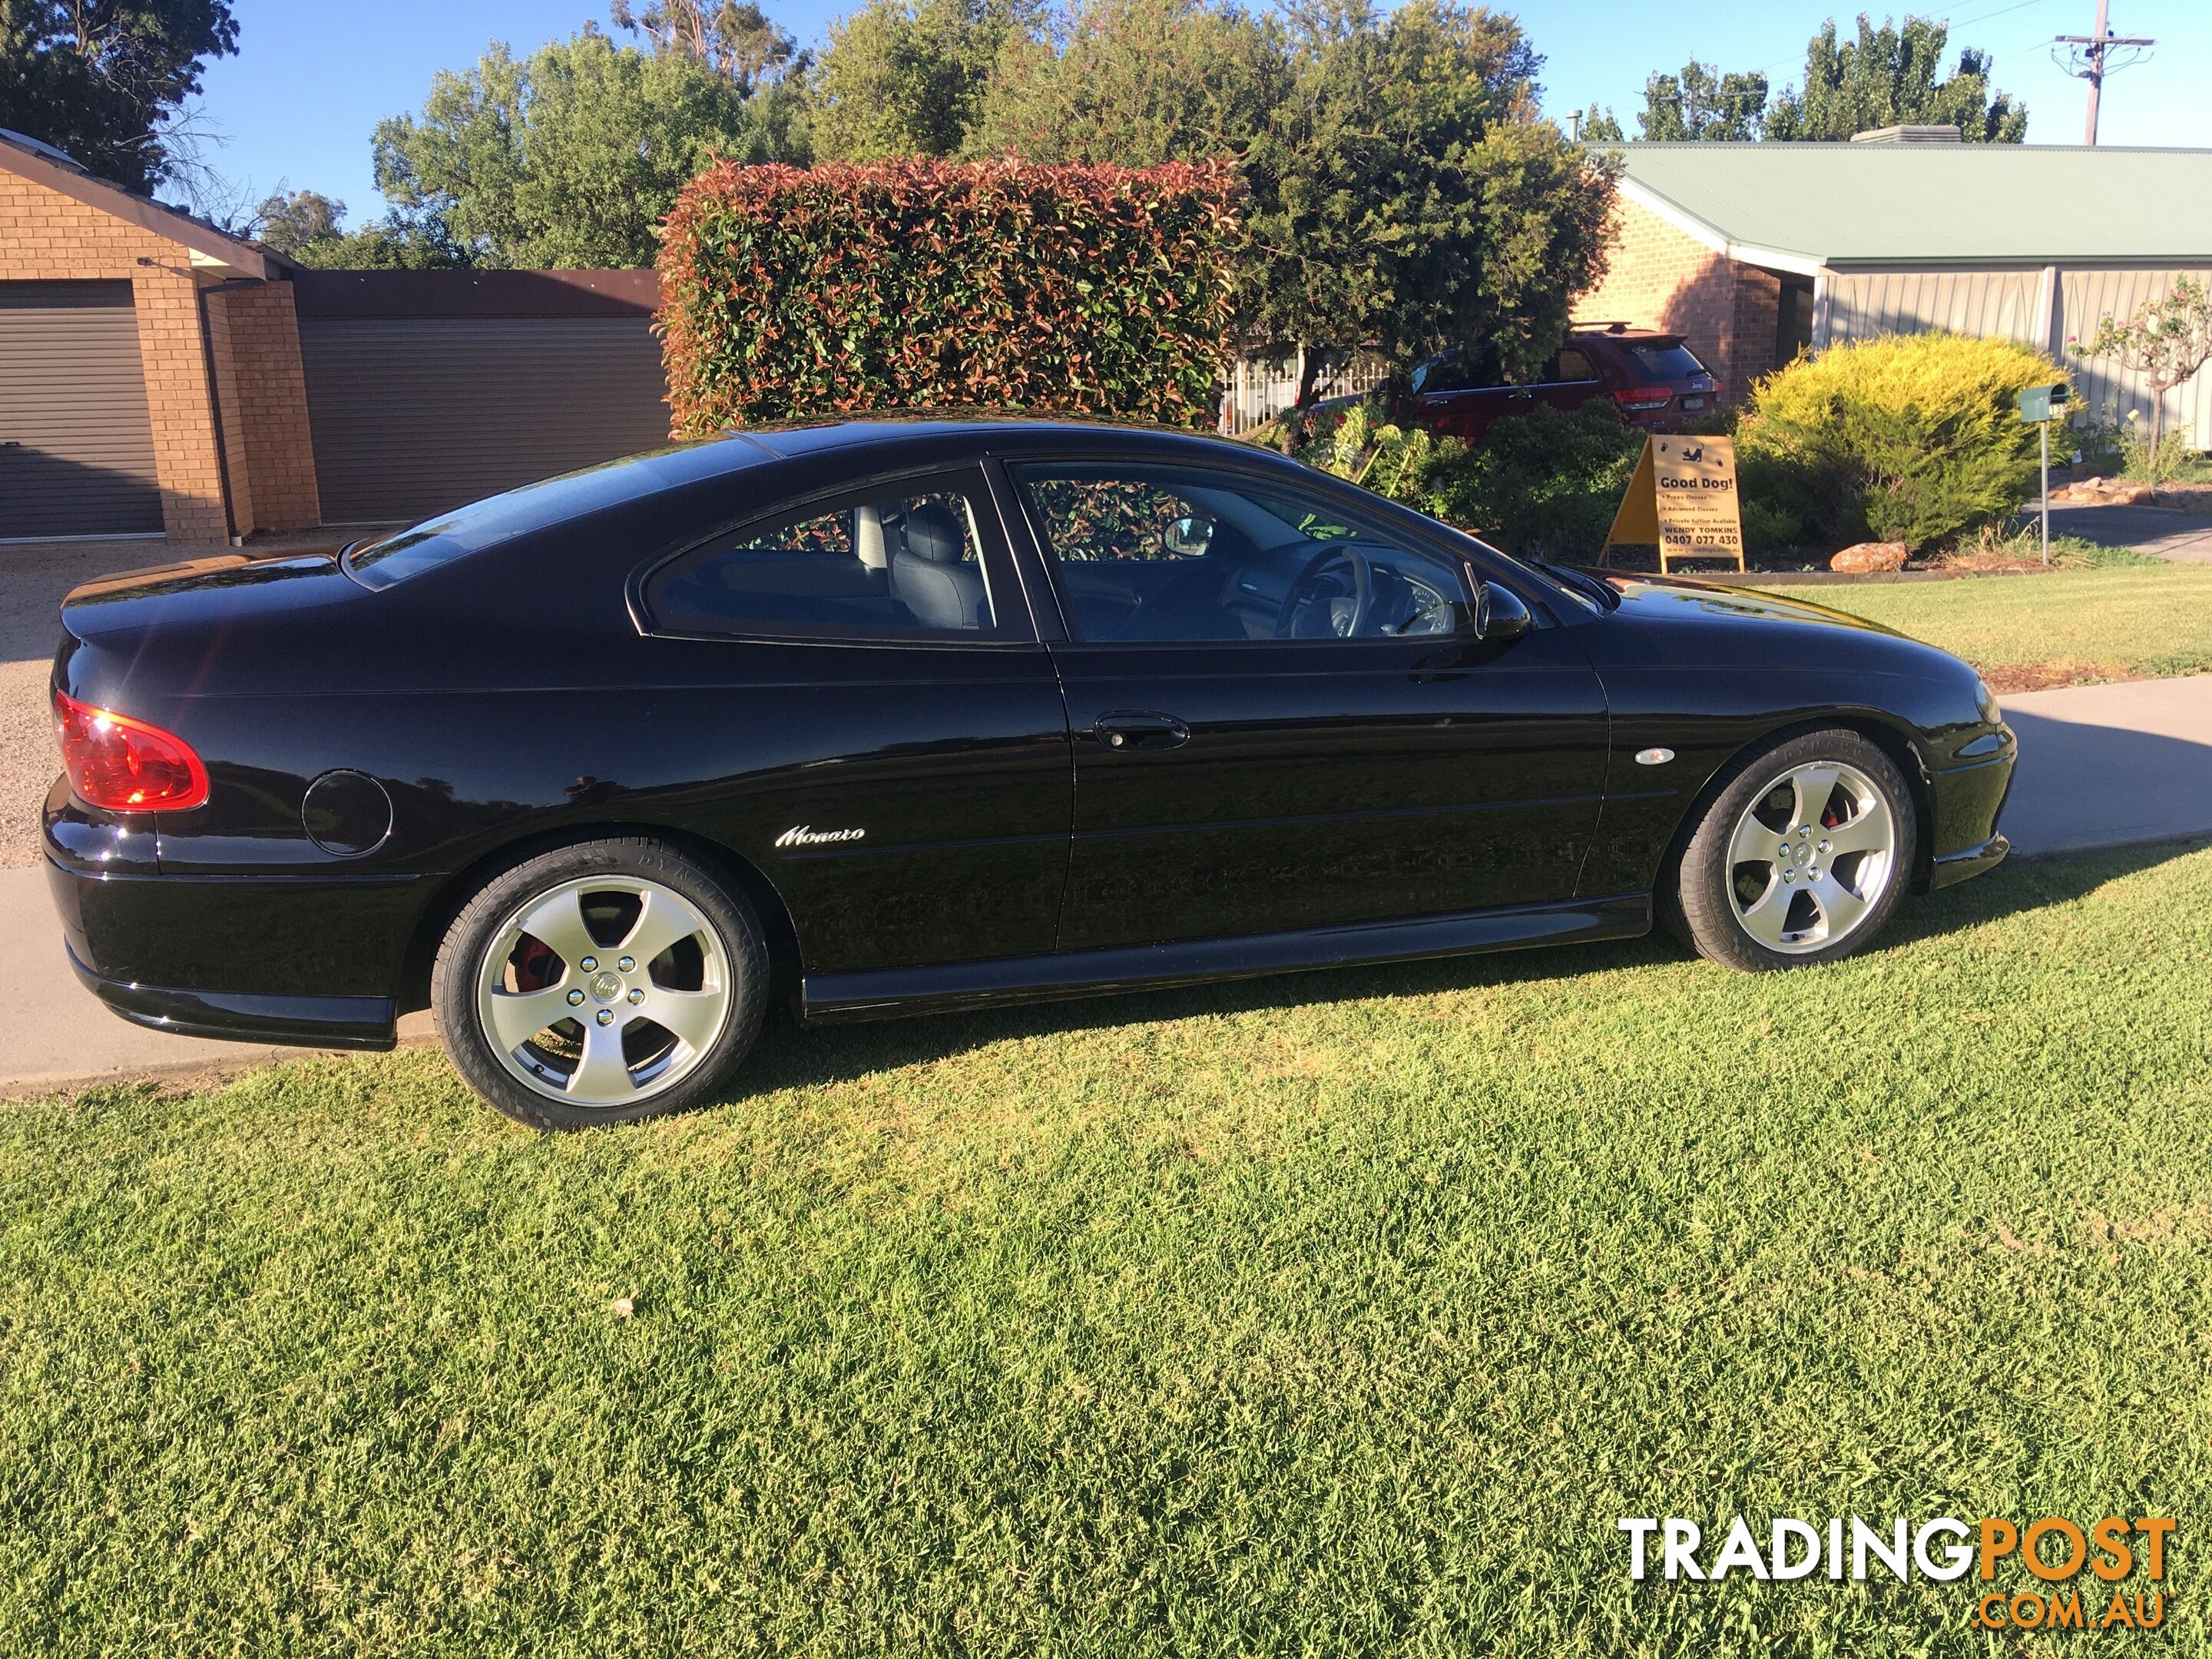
(1142, 968)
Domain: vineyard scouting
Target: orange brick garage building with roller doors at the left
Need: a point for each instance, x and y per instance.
(160, 377)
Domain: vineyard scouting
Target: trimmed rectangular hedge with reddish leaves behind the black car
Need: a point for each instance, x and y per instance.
(932, 284)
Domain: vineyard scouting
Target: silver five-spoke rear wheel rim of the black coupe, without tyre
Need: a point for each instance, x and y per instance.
(605, 992)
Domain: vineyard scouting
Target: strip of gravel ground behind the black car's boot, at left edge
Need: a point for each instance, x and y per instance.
(34, 576)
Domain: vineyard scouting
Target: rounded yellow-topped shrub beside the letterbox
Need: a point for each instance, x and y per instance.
(1908, 439)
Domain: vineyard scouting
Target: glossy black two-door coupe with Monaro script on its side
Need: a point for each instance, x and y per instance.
(901, 716)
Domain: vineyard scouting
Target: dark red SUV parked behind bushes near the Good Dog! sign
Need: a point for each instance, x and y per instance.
(1653, 379)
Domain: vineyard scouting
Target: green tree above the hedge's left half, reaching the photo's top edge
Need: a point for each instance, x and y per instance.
(910, 76)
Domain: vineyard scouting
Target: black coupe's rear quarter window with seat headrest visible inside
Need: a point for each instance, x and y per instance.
(899, 563)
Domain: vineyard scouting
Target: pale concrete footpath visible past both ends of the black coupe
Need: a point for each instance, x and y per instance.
(2103, 766)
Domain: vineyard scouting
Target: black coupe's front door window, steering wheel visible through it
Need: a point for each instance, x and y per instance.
(1196, 556)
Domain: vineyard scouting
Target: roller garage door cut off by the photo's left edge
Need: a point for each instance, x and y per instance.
(76, 444)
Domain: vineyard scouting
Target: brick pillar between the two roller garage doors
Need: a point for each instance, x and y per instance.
(262, 388)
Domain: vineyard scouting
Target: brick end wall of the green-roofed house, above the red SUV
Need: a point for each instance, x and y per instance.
(1667, 280)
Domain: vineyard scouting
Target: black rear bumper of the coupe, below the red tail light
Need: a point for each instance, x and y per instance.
(198, 957)
